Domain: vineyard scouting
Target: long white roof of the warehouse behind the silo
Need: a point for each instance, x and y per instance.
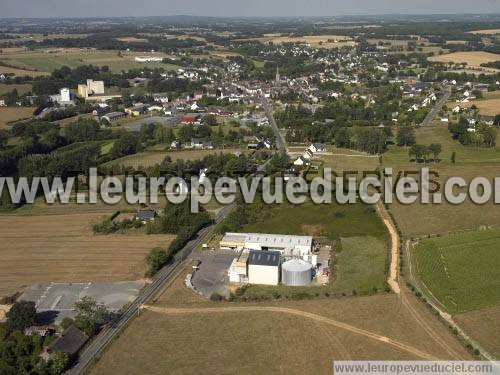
(269, 240)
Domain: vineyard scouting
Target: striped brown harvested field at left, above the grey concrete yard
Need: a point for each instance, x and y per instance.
(62, 248)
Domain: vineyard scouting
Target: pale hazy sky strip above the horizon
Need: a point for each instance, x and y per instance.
(95, 8)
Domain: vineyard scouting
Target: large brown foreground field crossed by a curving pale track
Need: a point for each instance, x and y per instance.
(181, 332)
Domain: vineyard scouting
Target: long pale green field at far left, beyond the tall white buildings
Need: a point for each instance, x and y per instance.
(47, 62)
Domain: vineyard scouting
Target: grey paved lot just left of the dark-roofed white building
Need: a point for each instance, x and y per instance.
(212, 275)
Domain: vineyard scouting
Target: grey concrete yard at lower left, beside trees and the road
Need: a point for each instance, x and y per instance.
(56, 301)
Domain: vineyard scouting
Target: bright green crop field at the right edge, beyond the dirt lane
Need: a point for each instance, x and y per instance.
(462, 271)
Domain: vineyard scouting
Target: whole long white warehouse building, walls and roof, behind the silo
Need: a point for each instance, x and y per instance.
(287, 245)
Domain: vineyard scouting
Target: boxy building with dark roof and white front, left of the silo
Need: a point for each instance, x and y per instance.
(264, 267)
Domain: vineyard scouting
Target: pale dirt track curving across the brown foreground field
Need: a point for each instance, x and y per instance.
(307, 315)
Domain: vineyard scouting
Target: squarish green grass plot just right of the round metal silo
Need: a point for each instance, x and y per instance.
(361, 264)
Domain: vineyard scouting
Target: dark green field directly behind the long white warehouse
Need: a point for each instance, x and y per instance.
(331, 220)
